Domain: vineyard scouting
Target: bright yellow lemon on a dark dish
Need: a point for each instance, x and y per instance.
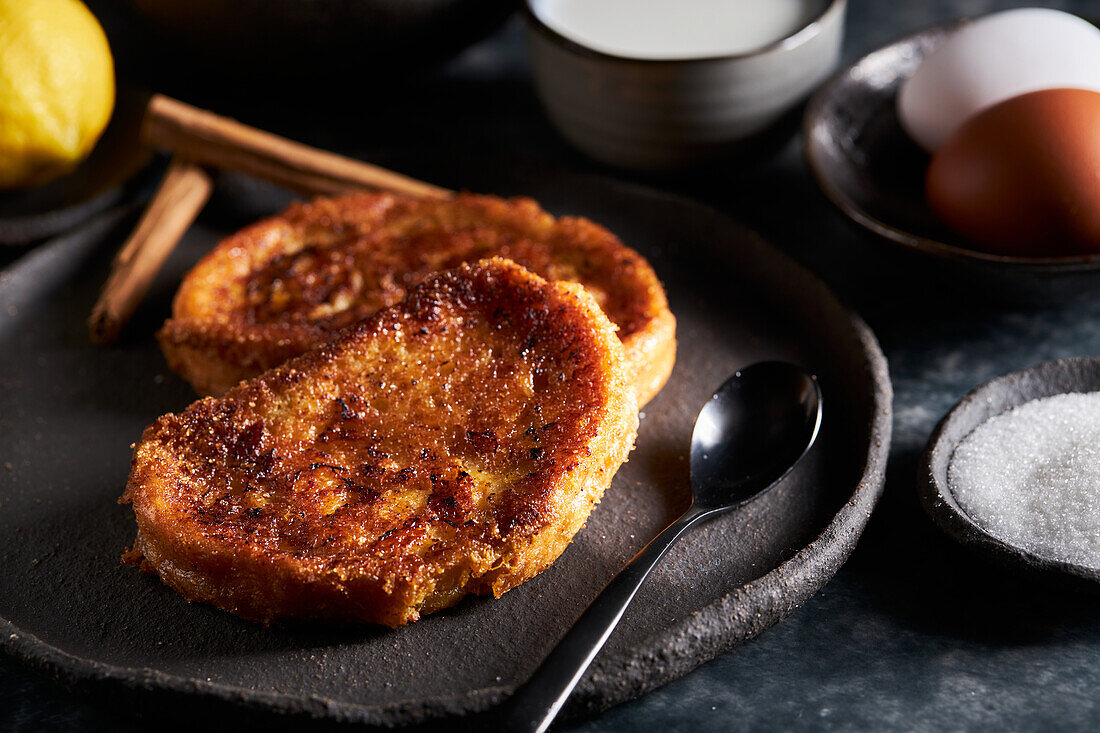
(57, 89)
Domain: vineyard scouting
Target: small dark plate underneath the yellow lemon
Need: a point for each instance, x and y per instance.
(101, 182)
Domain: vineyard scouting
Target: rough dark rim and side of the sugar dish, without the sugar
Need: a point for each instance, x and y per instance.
(993, 399)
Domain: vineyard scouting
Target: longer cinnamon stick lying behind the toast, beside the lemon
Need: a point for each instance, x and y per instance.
(221, 143)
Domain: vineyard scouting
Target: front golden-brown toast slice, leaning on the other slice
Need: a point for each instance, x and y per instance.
(452, 444)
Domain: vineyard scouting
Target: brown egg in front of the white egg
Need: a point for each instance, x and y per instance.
(1024, 177)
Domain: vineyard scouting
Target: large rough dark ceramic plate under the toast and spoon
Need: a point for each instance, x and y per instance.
(69, 413)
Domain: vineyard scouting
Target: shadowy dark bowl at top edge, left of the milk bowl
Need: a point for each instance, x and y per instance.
(362, 42)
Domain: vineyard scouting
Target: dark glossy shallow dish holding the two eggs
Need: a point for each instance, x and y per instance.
(867, 166)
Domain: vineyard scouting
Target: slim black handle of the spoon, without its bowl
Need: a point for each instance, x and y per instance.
(535, 705)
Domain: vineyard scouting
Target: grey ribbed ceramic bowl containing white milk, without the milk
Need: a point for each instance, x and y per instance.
(662, 115)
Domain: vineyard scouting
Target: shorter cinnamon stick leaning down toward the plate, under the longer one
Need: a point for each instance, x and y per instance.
(179, 201)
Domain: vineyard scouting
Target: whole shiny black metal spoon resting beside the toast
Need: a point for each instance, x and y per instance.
(747, 437)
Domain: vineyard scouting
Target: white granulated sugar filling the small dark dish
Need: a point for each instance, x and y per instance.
(1031, 477)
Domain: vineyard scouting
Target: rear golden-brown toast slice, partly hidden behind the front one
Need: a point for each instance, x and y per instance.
(288, 285)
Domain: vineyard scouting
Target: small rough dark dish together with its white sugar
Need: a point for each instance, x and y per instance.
(1015, 468)
